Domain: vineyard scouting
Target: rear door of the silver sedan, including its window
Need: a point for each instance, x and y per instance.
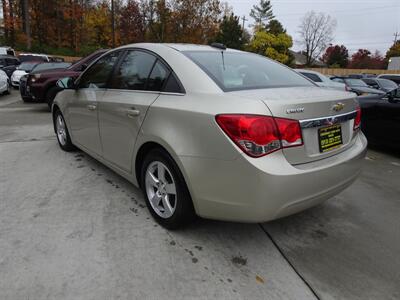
(136, 84)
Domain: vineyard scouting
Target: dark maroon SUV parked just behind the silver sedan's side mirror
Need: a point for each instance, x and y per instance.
(40, 85)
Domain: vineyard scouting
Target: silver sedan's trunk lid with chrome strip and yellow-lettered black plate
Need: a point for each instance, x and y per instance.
(326, 117)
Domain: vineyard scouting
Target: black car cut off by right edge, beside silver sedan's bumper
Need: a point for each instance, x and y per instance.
(380, 119)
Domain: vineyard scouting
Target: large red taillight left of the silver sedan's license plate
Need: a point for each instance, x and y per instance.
(260, 135)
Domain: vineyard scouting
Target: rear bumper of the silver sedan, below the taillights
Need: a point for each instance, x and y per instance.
(262, 189)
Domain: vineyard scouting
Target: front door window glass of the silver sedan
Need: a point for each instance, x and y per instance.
(98, 74)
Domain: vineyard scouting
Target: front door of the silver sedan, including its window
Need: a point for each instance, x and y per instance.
(83, 110)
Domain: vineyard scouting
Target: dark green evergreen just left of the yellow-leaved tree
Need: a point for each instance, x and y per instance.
(230, 32)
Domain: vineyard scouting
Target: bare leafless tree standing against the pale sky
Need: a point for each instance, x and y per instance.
(316, 31)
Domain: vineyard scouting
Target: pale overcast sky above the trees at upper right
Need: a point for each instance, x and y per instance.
(368, 24)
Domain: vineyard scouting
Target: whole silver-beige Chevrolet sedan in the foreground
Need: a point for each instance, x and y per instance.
(213, 132)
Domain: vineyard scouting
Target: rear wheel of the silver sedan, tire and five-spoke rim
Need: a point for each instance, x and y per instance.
(167, 197)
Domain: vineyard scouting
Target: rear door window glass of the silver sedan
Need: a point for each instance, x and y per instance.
(133, 71)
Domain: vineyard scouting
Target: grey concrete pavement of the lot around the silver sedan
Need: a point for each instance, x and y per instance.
(72, 229)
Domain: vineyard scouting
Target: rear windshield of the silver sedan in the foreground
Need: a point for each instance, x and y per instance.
(241, 71)
